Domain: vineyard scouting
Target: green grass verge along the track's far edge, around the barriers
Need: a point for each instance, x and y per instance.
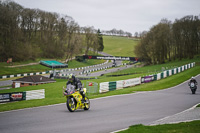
(53, 91)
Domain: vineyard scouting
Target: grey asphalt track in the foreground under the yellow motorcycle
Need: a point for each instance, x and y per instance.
(105, 115)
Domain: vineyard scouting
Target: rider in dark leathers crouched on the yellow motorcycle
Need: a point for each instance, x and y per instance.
(78, 85)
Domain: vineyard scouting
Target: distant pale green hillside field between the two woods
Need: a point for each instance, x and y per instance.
(119, 46)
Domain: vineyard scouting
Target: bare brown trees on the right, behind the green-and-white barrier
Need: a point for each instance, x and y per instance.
(168, 41)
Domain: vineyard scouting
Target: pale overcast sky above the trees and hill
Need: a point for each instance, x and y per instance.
(128, 15)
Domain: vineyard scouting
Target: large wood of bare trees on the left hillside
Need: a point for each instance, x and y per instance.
(32, 33)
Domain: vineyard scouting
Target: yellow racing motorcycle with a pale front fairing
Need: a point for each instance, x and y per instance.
(74, 99)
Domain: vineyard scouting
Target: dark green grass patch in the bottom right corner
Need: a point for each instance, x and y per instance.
(184, 127)
